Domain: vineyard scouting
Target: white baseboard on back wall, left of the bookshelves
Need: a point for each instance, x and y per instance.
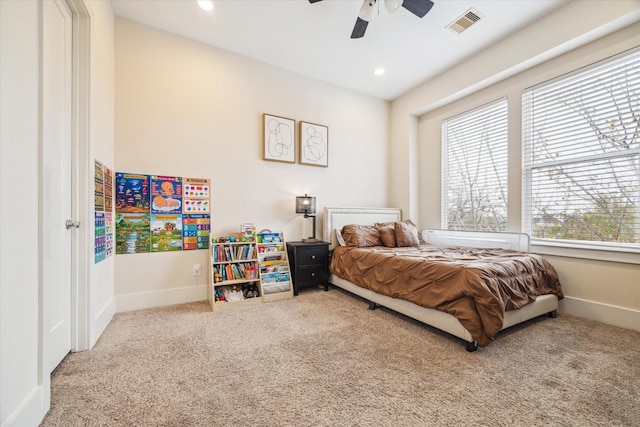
(142, 300)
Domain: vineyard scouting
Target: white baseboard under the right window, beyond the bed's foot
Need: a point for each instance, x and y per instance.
(605, 313)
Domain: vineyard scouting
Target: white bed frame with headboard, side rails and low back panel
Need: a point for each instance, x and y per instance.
(335, 218)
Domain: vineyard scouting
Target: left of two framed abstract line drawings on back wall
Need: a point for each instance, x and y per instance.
(279, 139)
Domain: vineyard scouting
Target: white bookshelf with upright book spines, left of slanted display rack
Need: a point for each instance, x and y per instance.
(235, 276)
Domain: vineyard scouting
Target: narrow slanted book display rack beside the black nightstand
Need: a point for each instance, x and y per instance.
(275, 277)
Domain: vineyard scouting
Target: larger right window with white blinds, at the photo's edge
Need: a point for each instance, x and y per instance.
(581, 177)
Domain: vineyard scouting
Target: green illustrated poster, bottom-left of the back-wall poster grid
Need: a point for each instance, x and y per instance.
(133, 233)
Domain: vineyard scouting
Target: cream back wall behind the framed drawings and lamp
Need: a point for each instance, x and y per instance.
(187, 109)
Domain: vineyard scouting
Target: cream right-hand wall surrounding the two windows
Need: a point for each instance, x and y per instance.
(601, 290)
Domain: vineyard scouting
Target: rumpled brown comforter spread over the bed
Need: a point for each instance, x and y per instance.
(475, 285)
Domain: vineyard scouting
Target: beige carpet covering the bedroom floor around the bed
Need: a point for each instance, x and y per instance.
(324, 359)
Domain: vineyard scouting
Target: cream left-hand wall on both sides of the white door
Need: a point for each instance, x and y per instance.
(24, 385)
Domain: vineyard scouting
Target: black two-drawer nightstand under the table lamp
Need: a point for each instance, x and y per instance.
(309, 263)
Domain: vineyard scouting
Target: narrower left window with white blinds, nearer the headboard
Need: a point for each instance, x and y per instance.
(474, 169)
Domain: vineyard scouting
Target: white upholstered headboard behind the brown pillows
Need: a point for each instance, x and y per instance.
(336, 218)
